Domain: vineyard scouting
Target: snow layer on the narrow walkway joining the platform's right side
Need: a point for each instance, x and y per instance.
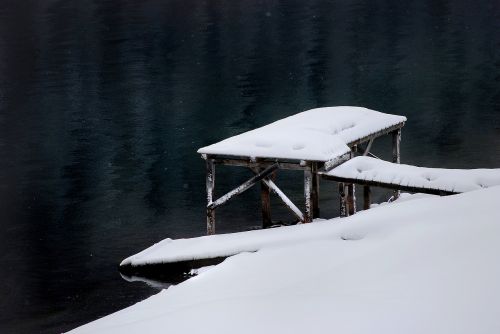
(454, 180)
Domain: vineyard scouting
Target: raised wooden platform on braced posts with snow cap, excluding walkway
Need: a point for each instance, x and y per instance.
(309, 141)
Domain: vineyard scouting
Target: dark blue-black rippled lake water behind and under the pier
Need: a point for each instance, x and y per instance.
(104, 103)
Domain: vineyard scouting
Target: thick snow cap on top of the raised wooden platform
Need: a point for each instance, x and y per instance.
(316, 135)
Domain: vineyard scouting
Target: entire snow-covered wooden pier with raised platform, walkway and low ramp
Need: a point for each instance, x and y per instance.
(332, 143)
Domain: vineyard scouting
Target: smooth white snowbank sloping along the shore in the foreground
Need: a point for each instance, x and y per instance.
(423, 266)
